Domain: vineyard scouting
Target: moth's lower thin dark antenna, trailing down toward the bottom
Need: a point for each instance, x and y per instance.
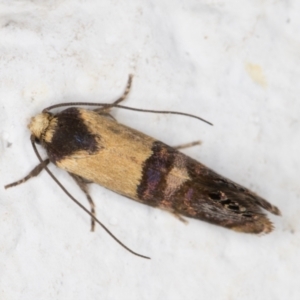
(80, 205)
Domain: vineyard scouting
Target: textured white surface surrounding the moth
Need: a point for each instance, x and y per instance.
(235, 63)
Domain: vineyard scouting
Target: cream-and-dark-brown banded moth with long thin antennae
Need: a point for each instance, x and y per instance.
(94, 148)
